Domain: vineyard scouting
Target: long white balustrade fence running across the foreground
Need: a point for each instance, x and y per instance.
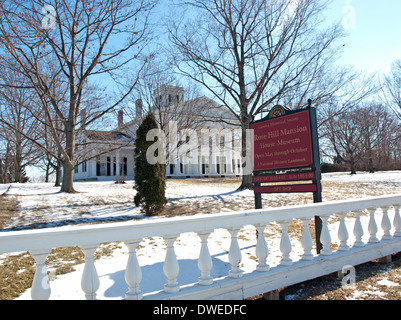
(237, 284)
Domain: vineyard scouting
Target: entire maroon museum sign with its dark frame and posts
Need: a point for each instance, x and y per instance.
(286, 156)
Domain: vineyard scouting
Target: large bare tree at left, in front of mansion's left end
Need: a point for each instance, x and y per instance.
(91, 42)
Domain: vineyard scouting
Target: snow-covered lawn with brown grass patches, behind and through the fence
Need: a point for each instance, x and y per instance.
(41, 205)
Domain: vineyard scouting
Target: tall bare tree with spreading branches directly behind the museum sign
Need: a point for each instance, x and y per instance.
(251, 54)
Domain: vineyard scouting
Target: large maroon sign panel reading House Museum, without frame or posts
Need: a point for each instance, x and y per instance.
(283, 142)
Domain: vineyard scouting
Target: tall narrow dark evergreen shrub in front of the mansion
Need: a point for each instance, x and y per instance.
(150, 180)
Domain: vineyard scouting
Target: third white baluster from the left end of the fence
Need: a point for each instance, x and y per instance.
(133, 273)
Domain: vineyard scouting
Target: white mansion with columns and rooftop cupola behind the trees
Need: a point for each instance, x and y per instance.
(215, 129)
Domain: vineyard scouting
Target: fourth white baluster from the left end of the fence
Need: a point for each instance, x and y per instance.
(171, 267)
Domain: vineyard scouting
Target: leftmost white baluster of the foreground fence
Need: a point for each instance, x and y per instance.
(40, 285)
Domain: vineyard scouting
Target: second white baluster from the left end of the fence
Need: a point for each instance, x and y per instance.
(90, 280)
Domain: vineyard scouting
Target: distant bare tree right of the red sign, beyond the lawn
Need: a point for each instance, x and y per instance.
(364, 137)
